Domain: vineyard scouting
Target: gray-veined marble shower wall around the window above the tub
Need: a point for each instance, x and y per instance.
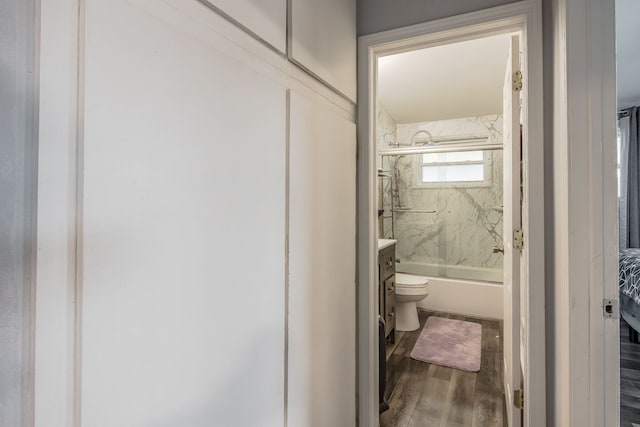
(467, 221)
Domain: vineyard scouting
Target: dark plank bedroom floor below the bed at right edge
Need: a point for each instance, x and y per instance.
(629, 378)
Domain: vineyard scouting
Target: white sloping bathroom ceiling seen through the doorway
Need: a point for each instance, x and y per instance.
(456, 80)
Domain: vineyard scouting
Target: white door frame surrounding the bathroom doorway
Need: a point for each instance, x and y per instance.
(526, 18)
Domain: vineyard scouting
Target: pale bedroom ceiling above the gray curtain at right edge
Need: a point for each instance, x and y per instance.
(628, 52)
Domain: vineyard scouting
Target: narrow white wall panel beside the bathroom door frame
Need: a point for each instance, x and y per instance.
(322, 237)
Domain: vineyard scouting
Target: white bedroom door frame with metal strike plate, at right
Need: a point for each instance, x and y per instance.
(584, 215)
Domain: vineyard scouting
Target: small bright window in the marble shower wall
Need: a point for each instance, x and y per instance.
(465, 167)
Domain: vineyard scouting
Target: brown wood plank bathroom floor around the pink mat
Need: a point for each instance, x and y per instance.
(422, 394)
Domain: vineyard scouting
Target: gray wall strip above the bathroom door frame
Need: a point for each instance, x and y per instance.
(380, 15)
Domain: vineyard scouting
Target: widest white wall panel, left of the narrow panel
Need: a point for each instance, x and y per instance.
(183, 217)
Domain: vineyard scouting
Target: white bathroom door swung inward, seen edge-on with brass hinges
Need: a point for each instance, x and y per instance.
(512, 222)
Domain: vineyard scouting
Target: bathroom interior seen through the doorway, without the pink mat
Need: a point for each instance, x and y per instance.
(439, 142)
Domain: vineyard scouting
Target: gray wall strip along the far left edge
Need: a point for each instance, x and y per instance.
(17, 206)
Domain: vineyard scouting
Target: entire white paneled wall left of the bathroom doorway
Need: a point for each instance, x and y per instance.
(184, 177)
